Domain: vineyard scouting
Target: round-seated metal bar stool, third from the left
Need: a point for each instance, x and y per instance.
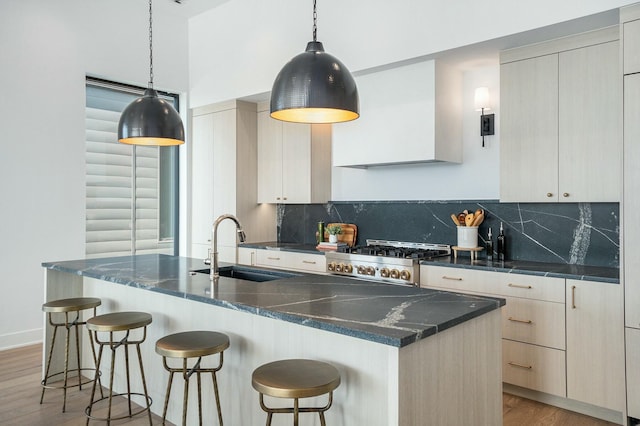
(192, 344)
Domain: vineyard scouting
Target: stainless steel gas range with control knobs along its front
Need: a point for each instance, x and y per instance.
(395, 262)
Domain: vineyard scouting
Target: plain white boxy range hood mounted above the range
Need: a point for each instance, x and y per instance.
(408, 114)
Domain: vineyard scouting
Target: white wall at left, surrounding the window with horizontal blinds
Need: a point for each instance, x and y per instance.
(47, 49)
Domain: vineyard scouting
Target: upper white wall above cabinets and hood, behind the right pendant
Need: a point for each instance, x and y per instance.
(238, 48)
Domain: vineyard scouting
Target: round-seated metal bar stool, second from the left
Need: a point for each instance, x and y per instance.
(113, 323)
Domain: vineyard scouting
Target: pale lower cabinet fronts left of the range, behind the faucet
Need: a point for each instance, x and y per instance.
(296, 261)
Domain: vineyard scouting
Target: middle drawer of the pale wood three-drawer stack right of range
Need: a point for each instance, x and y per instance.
(532, 321)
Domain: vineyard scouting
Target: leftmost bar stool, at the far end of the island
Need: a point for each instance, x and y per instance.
(67, 307)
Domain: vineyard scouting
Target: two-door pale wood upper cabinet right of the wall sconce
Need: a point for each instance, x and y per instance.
(561, 120)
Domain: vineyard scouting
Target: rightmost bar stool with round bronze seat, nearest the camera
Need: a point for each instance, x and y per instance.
(295, 378)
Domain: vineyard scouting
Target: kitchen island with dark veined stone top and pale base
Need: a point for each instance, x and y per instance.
(407, 356)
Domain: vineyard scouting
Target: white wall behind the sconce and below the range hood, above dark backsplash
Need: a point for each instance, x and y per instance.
(477, 177)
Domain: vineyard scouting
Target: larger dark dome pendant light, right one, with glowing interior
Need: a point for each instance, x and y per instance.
(315, 87)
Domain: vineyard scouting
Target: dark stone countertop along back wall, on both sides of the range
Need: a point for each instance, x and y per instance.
(558, 270)
